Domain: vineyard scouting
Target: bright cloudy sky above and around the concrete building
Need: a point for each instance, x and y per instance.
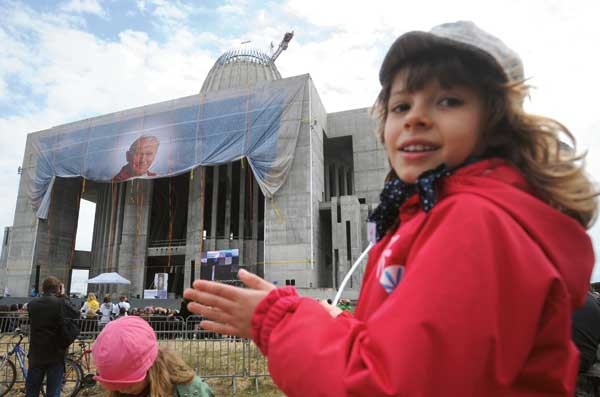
(63, 61)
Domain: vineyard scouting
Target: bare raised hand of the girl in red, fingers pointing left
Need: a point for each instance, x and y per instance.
(228, 309)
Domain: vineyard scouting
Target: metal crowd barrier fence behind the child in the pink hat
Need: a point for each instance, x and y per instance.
(211, 355)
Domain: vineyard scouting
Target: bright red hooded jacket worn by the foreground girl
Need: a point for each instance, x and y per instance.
(473, 298)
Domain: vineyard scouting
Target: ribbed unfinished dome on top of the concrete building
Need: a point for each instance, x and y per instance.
(240, 68)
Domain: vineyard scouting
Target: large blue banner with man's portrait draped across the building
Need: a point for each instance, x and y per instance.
(261, 123)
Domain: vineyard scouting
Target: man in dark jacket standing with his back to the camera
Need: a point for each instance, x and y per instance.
(46, 349)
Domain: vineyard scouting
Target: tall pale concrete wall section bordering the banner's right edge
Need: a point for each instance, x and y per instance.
(290, 251)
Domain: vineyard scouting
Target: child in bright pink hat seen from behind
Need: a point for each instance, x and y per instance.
(129, 362)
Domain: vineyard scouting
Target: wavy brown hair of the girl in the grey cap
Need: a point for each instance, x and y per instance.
(534, 144)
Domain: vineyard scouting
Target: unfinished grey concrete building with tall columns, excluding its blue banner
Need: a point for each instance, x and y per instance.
(308, 234)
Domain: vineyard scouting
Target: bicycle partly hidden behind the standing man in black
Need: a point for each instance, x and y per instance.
(8, 371)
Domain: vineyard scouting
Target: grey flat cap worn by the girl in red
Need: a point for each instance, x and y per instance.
(463, 35)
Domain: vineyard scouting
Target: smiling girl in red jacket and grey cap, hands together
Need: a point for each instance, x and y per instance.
(482, 252)
